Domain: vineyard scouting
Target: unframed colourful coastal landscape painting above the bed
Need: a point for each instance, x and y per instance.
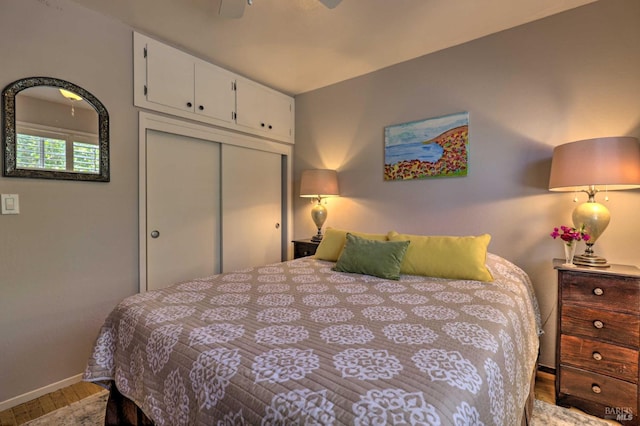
(435, 147)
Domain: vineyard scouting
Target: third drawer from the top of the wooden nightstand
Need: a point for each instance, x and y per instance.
(600, 357)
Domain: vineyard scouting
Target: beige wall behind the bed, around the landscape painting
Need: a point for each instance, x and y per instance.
(568, 77)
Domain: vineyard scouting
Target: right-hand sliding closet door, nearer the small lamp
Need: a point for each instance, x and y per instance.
(251, 208)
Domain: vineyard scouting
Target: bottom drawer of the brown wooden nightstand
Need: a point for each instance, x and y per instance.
(600, 389)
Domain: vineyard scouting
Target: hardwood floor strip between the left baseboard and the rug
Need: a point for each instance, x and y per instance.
(45, 404)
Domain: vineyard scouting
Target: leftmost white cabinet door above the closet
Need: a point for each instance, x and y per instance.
(170, 77)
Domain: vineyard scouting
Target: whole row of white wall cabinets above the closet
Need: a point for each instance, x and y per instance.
(171, 81)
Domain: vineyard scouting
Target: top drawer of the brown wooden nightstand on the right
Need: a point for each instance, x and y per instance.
(616, 293)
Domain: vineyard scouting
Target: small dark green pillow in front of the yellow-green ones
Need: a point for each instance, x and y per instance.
(372, 257)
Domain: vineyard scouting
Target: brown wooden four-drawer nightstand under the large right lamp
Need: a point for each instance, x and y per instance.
(598, 343)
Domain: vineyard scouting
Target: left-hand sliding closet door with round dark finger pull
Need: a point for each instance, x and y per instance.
(183, 208)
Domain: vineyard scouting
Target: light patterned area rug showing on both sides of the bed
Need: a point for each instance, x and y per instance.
(90, 412)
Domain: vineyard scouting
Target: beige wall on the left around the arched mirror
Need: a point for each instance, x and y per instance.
(71, 254)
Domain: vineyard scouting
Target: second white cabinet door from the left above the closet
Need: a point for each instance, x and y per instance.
(214, 93)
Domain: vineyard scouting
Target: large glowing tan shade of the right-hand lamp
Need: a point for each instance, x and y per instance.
(612, 162)
